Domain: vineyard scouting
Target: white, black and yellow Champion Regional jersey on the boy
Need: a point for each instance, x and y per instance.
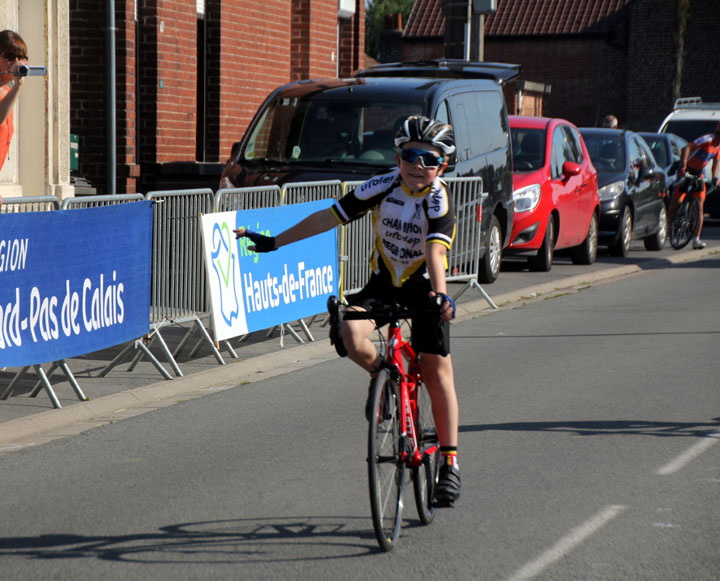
(403, 222)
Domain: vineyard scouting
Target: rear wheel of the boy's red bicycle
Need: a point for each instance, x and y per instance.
(425, 476)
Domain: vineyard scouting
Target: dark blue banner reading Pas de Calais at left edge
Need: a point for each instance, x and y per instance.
(73, 281)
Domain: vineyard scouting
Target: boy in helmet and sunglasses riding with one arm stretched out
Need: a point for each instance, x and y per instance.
(414, 225)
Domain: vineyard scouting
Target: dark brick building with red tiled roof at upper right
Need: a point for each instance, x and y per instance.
(630, 58)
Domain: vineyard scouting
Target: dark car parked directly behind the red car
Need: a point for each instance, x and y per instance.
(632, 188)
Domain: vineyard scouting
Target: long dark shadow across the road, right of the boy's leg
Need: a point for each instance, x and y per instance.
(609, 428)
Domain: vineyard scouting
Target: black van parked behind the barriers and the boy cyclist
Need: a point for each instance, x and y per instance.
(344, 129)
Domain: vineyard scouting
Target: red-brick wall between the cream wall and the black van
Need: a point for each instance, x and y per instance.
(250, 49)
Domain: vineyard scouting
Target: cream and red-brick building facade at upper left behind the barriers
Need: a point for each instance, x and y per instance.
(189, 76)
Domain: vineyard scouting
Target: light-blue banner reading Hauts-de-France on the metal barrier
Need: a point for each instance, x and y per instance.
(251, 291)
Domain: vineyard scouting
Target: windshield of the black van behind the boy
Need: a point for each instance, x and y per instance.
(329, 127)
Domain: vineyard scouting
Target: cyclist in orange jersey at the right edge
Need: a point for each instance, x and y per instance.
(693, 159)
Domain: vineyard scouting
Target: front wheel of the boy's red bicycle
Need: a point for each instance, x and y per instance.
(386, 470)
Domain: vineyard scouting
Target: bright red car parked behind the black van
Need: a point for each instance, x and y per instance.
(555, 190)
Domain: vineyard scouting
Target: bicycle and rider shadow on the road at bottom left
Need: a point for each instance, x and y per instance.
(232, 542)
